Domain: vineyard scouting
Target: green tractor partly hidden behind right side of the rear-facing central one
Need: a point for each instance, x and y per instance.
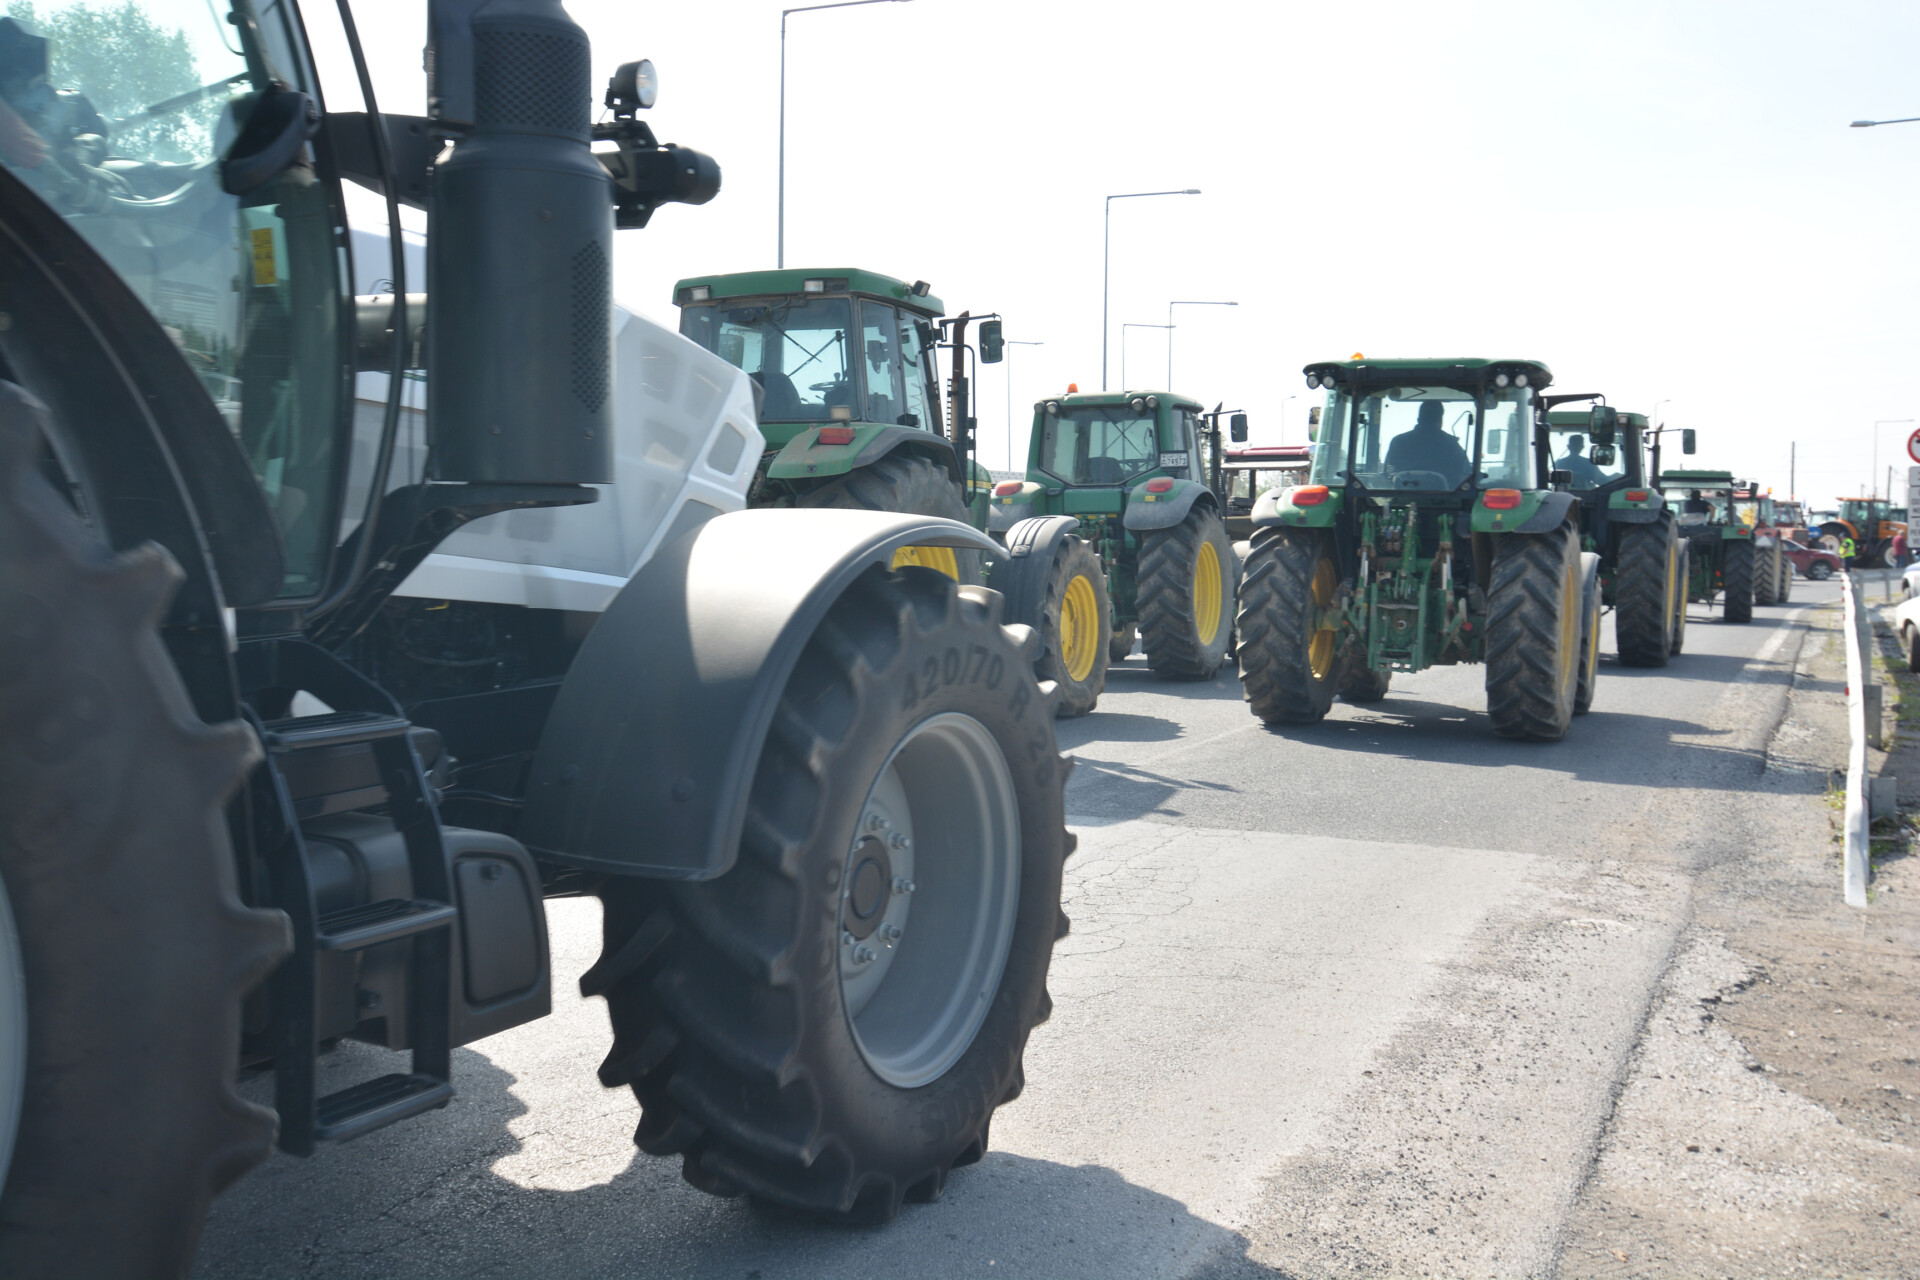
(1600, 458)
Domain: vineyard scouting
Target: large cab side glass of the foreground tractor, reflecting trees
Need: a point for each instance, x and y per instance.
(120, 118)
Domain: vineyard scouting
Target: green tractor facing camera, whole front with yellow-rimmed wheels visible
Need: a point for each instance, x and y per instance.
(1116, 534)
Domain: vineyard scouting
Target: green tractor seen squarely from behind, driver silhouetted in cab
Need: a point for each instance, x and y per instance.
(1426, 538)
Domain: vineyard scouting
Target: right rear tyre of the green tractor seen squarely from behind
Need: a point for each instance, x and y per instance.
(1533, 636)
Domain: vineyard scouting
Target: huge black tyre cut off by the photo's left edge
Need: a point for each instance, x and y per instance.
(133, 947)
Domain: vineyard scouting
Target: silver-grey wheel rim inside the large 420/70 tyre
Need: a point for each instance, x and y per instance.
(928, 899)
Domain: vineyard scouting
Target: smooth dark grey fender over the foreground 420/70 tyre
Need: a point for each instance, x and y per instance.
(650, 751)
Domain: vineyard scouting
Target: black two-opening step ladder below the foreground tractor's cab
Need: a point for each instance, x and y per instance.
(427, 918)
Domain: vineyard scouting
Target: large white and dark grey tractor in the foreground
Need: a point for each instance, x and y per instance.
(260, 801)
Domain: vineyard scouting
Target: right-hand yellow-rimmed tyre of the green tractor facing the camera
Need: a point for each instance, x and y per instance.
(1186, 596)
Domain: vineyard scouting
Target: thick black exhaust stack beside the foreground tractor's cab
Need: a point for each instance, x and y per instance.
(519, 250)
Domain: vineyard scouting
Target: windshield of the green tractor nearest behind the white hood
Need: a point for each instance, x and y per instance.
(796, 350)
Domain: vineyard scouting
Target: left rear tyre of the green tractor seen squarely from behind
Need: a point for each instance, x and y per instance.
(1289, 653)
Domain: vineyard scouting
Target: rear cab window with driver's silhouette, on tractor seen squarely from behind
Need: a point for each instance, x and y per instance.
(1424, 439)
